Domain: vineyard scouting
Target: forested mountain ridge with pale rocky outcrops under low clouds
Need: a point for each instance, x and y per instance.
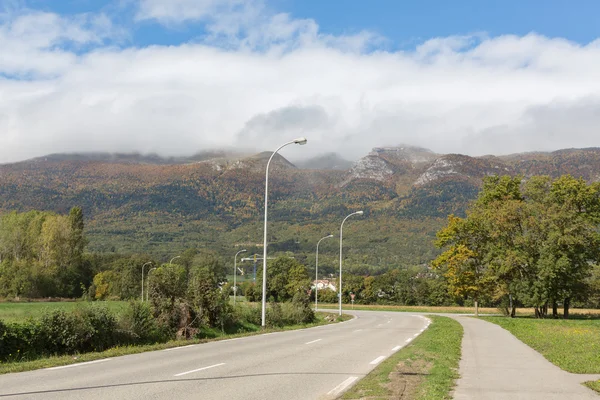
(136, 203)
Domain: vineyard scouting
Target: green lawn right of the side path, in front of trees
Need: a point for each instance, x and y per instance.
(573, 345)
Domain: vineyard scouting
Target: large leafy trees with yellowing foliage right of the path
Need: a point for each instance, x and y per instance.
(534, 243)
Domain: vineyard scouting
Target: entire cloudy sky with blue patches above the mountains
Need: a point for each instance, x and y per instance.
(176, 77)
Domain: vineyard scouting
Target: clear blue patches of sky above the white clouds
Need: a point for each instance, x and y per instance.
(403, 23)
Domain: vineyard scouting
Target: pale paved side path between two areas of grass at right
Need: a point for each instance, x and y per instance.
(496, 365)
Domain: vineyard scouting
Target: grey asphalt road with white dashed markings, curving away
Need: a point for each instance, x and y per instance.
(315, 363)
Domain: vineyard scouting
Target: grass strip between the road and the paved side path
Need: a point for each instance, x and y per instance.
(436, 352)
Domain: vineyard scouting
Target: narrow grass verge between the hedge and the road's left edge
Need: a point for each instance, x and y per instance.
(250, 330)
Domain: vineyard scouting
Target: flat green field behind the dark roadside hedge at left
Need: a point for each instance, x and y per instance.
(15, 312)
